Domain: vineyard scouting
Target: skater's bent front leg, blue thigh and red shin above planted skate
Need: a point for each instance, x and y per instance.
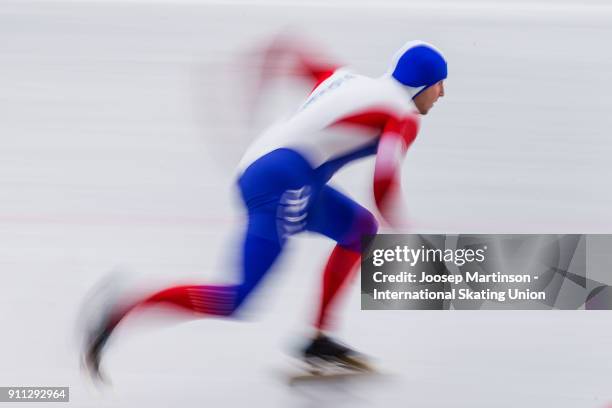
(338, 217)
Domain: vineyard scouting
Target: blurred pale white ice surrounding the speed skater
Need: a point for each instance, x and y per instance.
(120, 124)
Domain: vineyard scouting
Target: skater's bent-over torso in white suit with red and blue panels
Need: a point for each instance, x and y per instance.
(340, 121)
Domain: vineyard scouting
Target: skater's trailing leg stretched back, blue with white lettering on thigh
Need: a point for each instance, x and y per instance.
(273, 189)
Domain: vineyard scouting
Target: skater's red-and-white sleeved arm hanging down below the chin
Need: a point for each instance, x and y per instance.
(397, 137)
